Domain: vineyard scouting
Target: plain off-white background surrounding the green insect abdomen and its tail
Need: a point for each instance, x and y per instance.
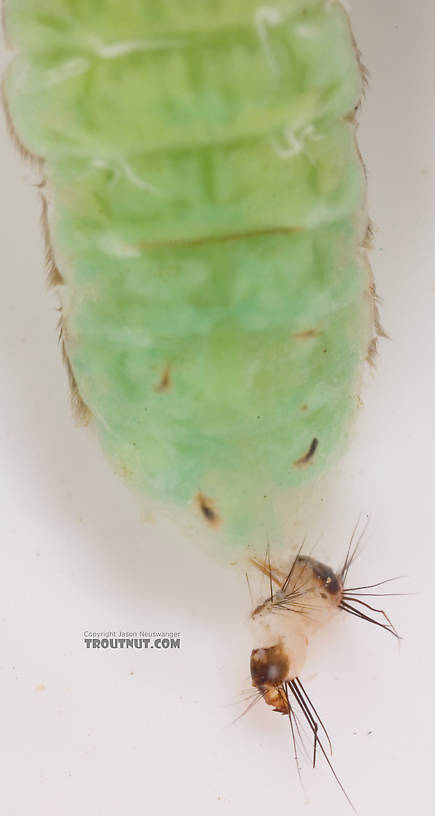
(105, 733)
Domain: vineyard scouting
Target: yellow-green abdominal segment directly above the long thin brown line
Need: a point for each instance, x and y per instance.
(123, 207)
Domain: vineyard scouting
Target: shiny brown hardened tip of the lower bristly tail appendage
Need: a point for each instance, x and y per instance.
(269, 671)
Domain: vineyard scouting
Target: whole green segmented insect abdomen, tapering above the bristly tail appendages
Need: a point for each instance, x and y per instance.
(206, 222)
